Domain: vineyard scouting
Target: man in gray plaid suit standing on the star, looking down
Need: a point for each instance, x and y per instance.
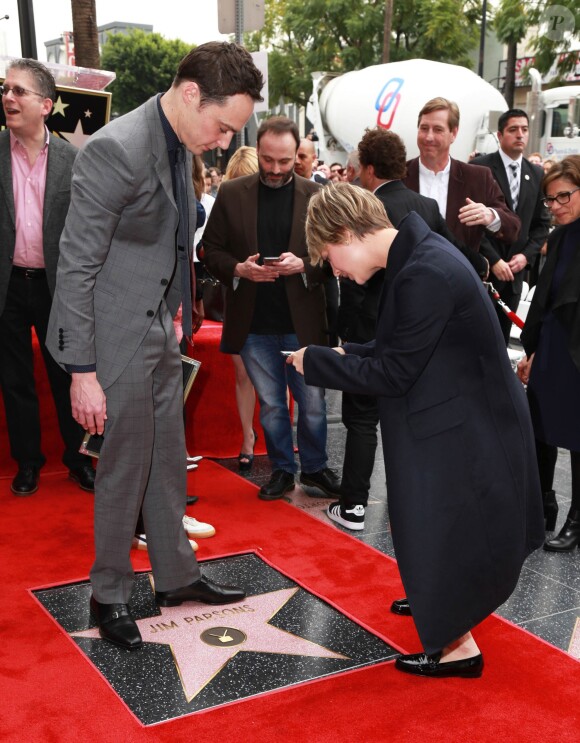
(120, 281)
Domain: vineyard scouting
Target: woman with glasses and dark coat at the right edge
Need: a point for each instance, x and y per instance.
(551, 339)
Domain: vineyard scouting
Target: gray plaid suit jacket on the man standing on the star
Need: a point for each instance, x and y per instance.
(117, 253)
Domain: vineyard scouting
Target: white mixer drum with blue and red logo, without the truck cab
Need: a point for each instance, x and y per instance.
(391, 96)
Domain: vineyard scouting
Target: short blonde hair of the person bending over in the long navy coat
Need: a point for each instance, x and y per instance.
(339, 208)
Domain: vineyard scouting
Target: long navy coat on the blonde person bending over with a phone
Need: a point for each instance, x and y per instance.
(463, 489)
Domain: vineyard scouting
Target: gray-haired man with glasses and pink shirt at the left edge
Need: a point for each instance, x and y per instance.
(35, 173)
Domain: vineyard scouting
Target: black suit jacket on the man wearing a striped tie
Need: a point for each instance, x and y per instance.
(531, 211)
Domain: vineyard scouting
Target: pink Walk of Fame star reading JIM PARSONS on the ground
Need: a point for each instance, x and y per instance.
(241, 627)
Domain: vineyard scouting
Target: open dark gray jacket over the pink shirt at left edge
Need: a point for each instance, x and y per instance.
(61, 156)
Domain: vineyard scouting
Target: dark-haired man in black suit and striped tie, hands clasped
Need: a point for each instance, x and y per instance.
(521, 184)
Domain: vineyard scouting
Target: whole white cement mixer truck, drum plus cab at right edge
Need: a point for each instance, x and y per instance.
(391, 96)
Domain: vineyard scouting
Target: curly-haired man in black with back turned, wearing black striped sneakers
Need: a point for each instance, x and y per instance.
(382, 157)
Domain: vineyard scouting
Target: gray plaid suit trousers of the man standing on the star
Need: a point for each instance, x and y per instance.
(142, 462)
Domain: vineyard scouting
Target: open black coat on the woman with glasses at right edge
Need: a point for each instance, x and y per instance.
(566, 305)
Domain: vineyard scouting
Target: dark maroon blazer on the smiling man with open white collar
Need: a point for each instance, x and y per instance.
(465, 181)
